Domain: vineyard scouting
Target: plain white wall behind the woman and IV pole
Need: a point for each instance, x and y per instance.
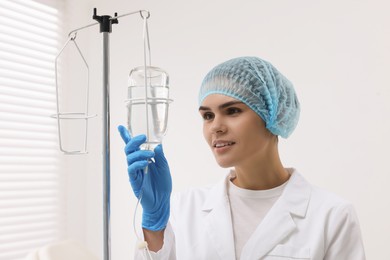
(335, 52)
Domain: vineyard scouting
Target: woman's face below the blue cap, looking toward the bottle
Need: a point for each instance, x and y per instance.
(234, 132)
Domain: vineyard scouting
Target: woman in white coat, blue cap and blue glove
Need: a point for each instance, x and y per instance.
(260, 209)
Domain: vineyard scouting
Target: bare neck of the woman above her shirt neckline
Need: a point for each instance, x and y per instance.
(261, 174)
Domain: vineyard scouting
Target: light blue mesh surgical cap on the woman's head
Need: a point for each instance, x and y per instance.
(259, 85)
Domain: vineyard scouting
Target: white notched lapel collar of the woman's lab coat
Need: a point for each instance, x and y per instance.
(277, 224)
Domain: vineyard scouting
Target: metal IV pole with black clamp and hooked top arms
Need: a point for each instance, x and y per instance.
(106, 23)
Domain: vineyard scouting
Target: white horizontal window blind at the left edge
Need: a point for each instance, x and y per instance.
(31, 198)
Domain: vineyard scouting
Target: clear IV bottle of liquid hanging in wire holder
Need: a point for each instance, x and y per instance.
(147, 104)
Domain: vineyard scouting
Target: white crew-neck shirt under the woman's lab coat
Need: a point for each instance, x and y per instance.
(248, 208)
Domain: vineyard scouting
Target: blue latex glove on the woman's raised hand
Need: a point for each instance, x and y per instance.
(155, 186)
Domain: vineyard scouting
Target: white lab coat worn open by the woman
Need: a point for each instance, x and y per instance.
(305, 223)
